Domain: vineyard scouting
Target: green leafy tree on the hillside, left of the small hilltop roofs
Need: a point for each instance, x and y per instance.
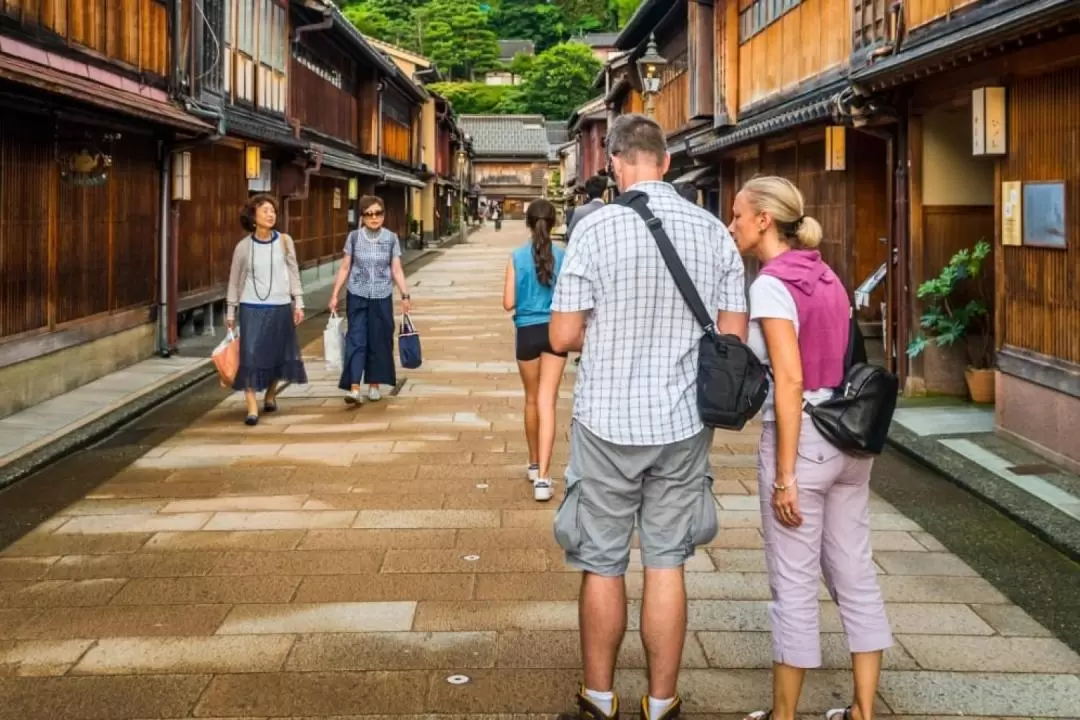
(457, 37)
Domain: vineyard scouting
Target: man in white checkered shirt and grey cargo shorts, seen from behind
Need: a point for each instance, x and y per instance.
(639, 451)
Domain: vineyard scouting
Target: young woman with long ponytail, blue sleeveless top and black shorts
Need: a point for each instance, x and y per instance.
(528, 293)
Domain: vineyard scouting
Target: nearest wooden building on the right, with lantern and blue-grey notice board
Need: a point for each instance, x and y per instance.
(985, 99)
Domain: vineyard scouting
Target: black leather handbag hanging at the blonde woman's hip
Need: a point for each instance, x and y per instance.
(857, 418)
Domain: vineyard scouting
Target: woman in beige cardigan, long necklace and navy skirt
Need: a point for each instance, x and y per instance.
(266, 293)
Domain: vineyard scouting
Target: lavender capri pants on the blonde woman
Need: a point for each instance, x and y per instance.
(835, 538)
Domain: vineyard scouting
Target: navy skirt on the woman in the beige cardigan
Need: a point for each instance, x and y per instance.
(269, 351)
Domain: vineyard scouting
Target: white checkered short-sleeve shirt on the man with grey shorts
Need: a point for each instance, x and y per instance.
(637, 383)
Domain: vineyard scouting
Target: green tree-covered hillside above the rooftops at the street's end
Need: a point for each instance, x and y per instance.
(462, 38)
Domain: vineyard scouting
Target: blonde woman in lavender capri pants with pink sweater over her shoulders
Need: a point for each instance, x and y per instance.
(815, 498)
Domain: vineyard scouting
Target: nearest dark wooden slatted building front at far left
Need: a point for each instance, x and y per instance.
(85, 114)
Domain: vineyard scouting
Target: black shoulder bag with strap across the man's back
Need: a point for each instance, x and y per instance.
(733, 383)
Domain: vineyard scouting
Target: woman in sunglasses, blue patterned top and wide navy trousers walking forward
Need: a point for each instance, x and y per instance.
(372, 267)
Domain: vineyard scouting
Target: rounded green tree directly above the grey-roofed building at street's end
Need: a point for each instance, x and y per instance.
(561, 80)
